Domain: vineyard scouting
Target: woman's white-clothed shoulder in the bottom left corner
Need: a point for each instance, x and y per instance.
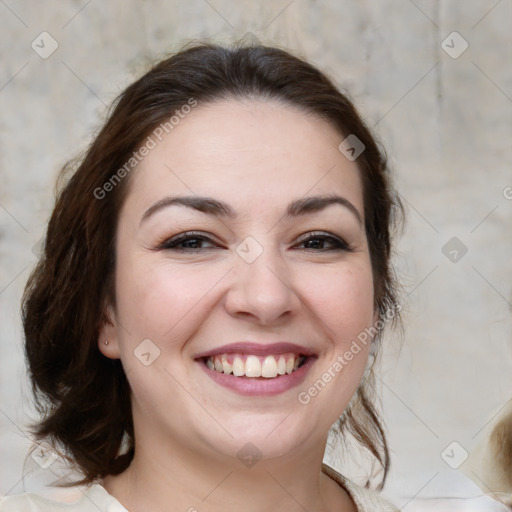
(93, 499)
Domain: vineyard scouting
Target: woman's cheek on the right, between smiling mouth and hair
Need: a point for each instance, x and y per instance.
(343, 304)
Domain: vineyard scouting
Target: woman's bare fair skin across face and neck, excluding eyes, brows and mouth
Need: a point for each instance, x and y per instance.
(257, 156)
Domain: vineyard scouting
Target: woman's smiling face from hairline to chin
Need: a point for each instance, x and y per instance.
(241, 251)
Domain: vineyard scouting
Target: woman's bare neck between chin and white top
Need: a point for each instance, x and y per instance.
(183, 480)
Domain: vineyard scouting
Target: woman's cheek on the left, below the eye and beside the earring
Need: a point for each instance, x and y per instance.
(159, 303)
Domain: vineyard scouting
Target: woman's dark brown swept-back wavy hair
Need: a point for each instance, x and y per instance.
(84, 397)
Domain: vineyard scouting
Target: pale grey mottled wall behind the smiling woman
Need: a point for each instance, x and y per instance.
(444, 118)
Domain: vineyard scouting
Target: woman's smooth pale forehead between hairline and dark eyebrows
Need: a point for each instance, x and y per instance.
(248, 153)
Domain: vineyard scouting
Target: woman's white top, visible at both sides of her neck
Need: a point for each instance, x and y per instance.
(96, 498)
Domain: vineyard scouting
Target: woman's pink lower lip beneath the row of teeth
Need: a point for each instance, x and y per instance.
(260, 386)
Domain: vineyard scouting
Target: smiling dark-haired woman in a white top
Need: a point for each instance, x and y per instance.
(215, 278)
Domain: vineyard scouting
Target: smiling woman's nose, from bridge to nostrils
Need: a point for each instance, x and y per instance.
(262, 291)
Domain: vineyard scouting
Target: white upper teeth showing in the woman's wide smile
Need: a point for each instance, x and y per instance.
(254, 366)
